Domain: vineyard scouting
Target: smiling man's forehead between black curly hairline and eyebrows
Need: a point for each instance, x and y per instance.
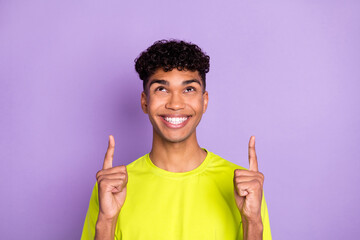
(175, 76)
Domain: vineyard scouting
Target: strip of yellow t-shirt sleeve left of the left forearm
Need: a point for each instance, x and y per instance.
(91, 216)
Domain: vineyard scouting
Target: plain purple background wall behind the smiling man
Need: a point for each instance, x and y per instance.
(285, 71)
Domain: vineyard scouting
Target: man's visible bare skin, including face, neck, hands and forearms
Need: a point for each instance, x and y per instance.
(175, 102)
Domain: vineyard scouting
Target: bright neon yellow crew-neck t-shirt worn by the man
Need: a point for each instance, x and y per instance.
(162, 205)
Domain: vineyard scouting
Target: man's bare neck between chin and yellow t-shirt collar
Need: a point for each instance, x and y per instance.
(181, 156)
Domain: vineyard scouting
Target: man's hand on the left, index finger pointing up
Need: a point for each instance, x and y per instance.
(111, 185)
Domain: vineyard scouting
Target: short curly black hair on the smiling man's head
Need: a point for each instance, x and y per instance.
(170, 54)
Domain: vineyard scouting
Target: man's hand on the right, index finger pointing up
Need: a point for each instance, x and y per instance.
(248, 187)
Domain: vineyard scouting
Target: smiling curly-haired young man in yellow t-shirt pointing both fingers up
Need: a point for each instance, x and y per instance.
(179, 190)
